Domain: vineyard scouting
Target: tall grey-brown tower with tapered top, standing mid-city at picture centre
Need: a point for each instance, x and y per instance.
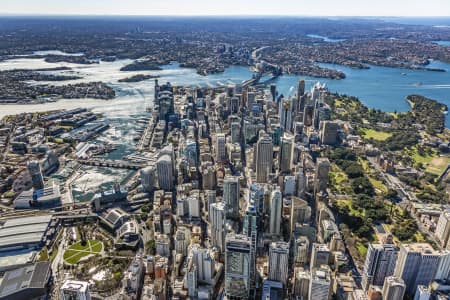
(264, 158)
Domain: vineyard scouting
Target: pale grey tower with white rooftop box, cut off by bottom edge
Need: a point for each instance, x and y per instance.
(320, 287)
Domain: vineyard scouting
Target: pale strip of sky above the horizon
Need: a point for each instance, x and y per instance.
(229, 7)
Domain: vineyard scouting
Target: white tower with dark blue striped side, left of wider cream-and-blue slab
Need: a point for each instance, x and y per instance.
(379, 264)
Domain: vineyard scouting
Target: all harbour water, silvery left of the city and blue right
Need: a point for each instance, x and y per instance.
(378, 87)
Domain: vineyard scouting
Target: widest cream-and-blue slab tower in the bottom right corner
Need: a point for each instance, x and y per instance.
(416, 264)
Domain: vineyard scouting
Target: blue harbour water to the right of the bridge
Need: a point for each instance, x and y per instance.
(380, 87)
